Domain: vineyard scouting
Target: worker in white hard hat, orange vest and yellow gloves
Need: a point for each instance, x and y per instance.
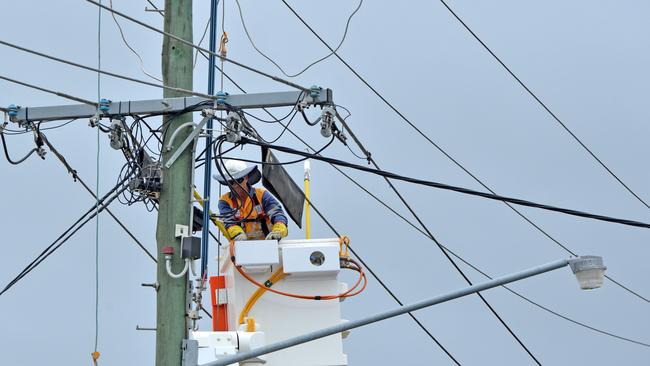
(249, 213)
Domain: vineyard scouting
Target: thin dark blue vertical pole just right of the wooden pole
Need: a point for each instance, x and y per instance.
(207, 171)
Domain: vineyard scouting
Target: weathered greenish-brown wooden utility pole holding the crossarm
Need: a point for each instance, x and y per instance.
(172, 296)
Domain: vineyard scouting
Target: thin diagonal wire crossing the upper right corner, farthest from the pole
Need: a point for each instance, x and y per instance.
(545, 107)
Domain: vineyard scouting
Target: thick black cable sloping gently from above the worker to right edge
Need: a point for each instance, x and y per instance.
(448, 187)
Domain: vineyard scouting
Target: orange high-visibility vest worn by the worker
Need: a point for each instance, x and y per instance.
(252, 215)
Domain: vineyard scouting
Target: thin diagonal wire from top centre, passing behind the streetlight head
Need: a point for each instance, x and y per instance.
(447, 155)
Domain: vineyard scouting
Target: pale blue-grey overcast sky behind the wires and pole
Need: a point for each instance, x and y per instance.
(586, 60)
